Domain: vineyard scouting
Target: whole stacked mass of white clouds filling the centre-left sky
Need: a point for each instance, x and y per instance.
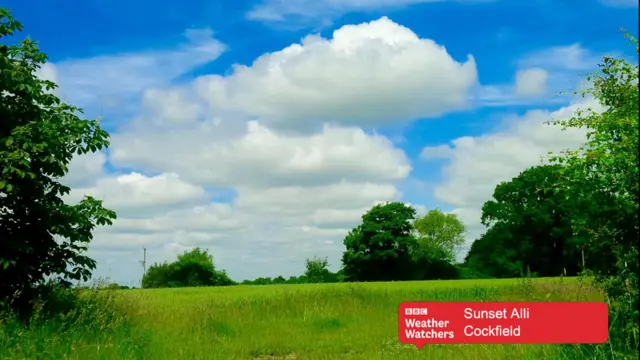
(261, 199)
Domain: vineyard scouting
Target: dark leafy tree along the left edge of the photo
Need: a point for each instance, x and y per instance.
(39, 135)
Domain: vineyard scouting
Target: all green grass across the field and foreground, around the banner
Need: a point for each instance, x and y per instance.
(323, 321)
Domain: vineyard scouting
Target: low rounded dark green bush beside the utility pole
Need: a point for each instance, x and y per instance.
(192, 268)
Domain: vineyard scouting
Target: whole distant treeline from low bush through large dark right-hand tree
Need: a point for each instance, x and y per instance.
(529, 233)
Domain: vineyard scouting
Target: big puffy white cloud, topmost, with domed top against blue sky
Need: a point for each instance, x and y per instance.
(371, 74)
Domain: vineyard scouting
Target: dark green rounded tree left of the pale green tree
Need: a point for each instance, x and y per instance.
(379, 248)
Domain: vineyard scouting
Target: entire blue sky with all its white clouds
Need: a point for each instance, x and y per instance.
(266, 162)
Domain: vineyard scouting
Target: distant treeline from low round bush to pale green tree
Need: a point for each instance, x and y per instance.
(390, 244)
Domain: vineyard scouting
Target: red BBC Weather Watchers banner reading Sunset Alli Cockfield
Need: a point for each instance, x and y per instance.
(422, 323)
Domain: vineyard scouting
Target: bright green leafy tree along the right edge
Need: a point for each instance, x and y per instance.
(601, 177)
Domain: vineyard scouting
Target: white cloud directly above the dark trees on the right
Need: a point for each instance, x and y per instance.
(477, 164)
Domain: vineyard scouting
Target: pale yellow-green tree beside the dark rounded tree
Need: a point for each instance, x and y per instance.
(438, 236)
